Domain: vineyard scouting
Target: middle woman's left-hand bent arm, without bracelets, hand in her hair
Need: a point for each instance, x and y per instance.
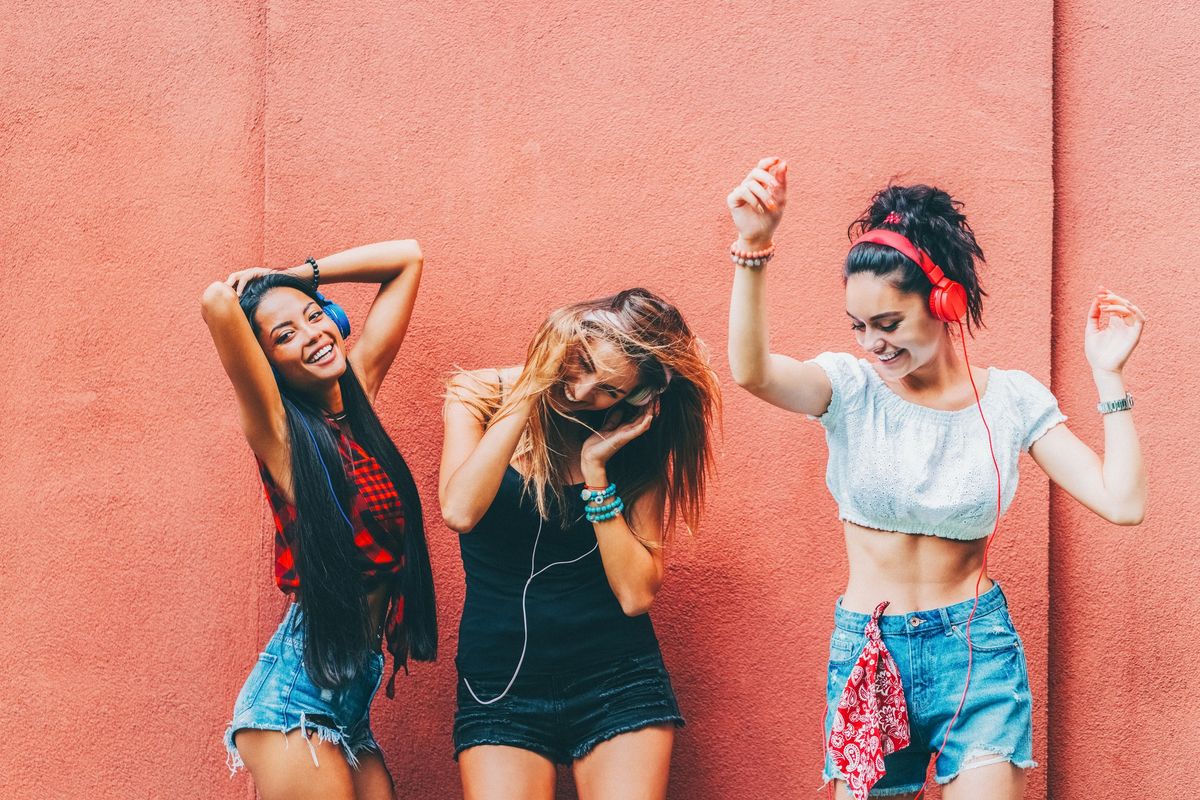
(476, 453)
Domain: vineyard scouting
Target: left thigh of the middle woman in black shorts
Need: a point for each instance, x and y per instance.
(502, 773)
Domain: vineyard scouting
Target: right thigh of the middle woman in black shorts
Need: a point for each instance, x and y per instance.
(631, 767)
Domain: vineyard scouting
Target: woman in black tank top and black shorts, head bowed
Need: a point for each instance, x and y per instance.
(563, 476)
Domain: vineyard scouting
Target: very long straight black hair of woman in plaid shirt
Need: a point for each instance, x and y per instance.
(337, 622)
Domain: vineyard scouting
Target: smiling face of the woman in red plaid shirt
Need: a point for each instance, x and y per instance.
(301, 341)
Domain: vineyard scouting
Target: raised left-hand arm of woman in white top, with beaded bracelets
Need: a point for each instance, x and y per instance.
(757, 206)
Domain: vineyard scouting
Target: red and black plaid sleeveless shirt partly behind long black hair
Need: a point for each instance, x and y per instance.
(379, 518)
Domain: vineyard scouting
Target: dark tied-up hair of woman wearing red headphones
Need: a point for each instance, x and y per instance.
(933, 221)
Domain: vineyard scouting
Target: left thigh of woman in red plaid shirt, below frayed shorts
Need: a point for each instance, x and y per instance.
(284, 767)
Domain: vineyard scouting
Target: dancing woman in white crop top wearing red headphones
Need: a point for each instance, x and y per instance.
(911, 470)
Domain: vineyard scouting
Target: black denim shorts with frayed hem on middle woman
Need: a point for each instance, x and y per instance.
(563, 717)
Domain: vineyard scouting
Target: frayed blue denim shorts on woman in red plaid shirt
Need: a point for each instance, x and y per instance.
(280, 696)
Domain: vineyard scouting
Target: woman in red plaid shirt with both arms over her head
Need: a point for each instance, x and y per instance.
(350, 540)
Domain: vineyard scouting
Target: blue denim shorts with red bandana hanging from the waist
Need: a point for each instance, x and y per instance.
(931, 649)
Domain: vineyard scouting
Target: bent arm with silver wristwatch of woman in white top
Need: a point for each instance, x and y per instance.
(1113, 486)
